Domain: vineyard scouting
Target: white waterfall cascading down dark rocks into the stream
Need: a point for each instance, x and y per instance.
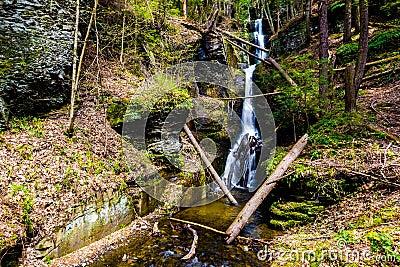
(240, 167)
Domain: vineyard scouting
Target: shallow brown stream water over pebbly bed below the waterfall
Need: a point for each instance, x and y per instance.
(174, 241)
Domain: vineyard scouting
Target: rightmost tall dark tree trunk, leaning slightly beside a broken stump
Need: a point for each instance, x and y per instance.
(362, 44)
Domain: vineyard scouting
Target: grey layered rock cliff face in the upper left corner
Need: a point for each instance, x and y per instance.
(36, 39)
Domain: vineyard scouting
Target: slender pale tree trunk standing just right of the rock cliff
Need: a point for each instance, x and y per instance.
(70, 128)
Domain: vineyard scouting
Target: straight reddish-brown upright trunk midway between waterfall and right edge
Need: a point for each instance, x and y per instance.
(324, 47)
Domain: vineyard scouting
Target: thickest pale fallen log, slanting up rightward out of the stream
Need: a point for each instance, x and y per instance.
(251, 206)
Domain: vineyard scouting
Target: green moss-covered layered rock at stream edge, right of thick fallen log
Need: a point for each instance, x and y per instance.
(289, 214)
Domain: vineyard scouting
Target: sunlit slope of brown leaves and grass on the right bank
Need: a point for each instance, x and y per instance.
(362, 229)
